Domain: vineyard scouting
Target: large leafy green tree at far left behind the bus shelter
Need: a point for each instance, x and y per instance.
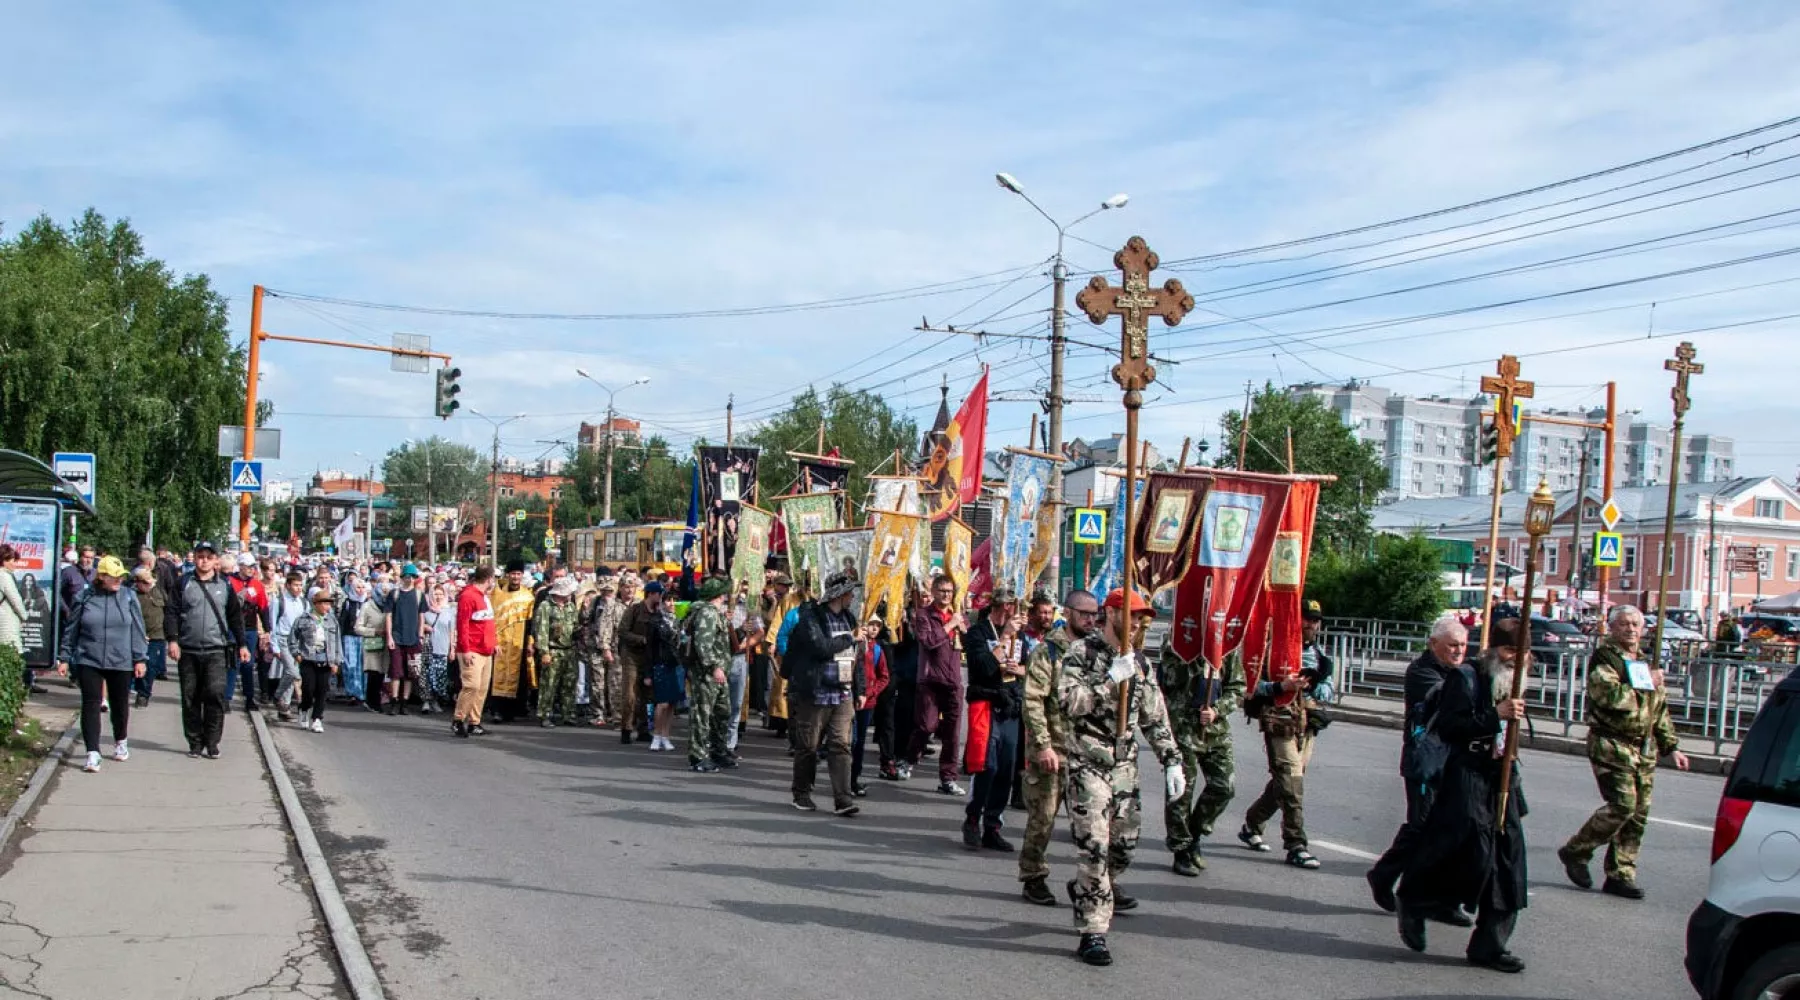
(103, 350)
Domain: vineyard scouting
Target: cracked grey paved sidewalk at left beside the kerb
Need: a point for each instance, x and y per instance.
(161, 879)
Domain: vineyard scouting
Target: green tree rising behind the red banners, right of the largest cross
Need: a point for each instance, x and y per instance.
(1322, 447)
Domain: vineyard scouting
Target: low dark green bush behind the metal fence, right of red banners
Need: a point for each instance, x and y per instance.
(1399, 580)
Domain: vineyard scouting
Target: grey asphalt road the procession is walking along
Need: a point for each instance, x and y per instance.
(541, 864)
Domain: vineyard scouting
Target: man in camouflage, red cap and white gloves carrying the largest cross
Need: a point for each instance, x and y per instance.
(1102, 785)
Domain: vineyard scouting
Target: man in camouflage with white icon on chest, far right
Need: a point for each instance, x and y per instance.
(1628, 731)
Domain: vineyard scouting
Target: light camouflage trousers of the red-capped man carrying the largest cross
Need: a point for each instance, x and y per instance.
(1104, 819)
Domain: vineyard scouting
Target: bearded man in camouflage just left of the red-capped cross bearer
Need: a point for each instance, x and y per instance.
(1045, 733)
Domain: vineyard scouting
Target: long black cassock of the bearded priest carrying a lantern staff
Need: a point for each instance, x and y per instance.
(1462, 857)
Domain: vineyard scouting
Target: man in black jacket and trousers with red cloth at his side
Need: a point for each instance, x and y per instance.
(996, 668)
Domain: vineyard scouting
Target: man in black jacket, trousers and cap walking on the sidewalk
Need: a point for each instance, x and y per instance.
(204, 623)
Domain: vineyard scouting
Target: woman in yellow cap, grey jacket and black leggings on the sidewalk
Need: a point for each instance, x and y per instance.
(103, 638)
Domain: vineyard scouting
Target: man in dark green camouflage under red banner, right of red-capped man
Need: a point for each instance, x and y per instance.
(1201, 701)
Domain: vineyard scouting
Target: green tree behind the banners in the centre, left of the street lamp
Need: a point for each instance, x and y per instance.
(861, 425)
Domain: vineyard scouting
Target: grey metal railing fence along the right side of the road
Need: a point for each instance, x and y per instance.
(1711, 695)
